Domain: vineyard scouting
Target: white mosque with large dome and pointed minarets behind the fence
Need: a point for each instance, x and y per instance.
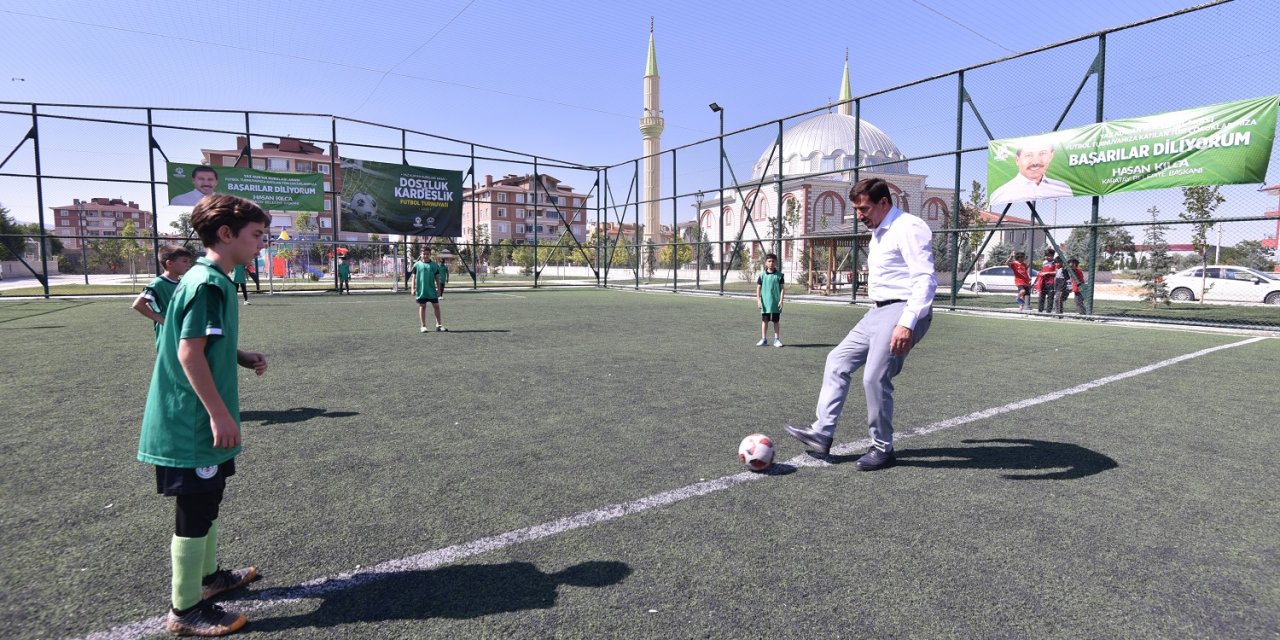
(821, 145)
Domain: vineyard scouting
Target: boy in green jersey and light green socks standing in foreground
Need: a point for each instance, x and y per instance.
(191, 426)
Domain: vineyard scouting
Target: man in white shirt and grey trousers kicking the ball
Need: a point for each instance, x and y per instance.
(902, 285)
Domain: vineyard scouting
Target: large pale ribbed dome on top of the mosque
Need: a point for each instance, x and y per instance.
(826, 143)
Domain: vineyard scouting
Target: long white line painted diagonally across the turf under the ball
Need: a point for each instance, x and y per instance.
(441, 557)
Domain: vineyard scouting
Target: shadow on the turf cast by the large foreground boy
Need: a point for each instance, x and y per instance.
(456, 592)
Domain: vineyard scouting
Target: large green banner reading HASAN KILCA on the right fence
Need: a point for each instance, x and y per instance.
(1228, 144)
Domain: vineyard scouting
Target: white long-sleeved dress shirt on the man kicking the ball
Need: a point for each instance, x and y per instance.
(900, 266)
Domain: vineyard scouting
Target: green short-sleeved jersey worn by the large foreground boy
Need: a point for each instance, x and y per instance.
(176, 431)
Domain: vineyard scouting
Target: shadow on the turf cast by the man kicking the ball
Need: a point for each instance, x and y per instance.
(1037, 460)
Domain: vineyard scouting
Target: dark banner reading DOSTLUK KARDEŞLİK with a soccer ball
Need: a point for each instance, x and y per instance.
(385, 198)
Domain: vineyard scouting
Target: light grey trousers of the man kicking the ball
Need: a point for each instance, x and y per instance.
(867, 346)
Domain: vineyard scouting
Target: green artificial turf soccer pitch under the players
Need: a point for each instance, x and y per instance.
(1141, 509)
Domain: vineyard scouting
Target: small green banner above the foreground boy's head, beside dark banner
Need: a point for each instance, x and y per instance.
(271, 190)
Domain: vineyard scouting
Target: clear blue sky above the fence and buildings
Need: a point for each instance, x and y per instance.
(564, 80)
